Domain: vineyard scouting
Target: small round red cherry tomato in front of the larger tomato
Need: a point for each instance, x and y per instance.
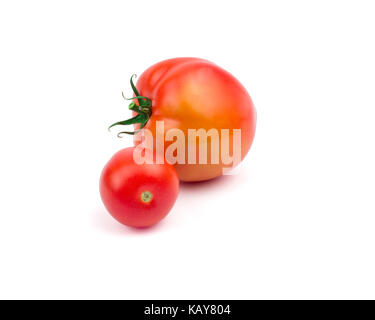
(123, 183)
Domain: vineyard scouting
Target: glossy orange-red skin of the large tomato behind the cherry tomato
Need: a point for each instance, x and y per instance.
(192, 93)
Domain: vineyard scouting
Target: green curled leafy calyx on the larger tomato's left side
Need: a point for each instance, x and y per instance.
(143, 110)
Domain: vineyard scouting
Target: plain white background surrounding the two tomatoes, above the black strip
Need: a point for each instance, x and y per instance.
(296, 222)
